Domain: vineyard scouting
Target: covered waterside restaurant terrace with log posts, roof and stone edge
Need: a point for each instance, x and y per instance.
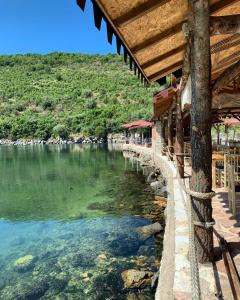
(197, 43)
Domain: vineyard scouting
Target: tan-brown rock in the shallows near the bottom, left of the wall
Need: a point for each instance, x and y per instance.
(135, 278)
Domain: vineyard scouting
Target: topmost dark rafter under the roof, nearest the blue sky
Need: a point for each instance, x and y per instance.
(139, 11)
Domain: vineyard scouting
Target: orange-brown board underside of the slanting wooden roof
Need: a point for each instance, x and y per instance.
(150, 32)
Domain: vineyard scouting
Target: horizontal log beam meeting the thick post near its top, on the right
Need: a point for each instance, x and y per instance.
(225, 25)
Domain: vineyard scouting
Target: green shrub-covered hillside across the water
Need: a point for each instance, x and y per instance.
(61, 94)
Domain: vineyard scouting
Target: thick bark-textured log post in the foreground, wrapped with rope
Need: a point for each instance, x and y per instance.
(201, 180)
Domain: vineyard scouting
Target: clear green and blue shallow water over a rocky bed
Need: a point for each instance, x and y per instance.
(71, 213)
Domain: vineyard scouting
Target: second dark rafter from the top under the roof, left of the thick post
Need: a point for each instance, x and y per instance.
(158, 38)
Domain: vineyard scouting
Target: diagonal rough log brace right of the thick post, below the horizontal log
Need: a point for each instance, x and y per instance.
(228, 75)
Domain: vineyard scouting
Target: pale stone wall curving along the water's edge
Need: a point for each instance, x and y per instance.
(175, 272)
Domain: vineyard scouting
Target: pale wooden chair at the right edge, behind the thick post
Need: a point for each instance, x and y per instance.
(233, 189)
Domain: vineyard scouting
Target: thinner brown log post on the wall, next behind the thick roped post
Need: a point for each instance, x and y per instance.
(179, 144)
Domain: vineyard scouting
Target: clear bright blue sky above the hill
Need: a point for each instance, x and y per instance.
(43, 26)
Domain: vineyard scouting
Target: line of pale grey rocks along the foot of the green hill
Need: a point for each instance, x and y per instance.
(54, 141)
